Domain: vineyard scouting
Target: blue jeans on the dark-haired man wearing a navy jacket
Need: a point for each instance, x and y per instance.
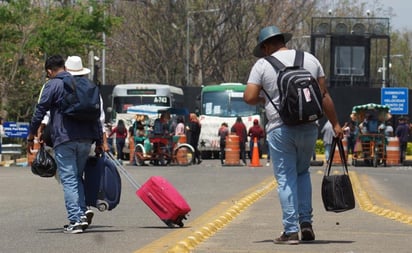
(71, 159)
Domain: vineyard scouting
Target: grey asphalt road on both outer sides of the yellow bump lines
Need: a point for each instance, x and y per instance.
(32, 209)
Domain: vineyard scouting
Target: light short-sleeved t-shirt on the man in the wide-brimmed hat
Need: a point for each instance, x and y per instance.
(264, 74)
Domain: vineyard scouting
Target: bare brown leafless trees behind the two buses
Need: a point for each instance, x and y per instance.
(151, 44)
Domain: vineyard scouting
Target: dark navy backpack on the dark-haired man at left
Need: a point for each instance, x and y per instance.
(81, 100)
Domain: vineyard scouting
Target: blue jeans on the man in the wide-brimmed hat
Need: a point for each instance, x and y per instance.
(291, 150)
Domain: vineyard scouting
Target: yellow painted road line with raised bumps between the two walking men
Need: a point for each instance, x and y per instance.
(186, 239)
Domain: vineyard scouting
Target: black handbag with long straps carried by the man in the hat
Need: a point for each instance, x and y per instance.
(337, 192)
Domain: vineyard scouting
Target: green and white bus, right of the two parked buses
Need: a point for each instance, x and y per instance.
(223, 103)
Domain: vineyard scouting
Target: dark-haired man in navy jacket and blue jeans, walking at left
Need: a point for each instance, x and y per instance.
(72, 141)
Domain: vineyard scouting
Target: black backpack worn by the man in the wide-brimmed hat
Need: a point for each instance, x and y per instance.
(300, 96)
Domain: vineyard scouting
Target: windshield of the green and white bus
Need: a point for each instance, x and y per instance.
(226, 104)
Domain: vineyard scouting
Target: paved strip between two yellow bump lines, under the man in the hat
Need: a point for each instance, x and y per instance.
(254, 229)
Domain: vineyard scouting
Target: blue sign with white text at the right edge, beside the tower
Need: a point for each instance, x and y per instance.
(396, 99)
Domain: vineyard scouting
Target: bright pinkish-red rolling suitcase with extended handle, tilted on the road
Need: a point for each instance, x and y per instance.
(161, 196)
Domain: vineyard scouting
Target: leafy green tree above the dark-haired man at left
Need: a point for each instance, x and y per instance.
(28, 34)
